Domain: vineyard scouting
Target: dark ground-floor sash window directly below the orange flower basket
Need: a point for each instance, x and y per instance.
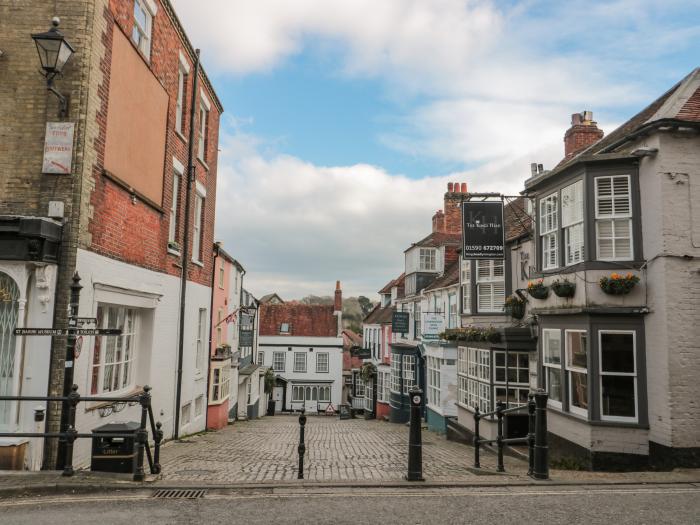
(618, 375)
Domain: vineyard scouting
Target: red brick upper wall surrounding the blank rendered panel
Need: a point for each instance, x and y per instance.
(123, 226)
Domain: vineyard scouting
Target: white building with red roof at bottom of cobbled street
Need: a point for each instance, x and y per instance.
(303, 345)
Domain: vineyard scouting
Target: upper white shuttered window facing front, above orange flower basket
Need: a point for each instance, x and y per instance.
(613, 218)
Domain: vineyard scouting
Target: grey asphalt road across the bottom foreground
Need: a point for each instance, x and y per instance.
(677, 504)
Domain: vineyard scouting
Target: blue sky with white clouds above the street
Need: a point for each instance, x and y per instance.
(345, 119)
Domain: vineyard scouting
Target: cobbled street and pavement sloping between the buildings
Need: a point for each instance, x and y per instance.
(351, 453)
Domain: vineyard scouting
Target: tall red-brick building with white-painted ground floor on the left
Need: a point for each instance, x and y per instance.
(130, 87)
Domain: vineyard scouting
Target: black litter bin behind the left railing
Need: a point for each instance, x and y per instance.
(114, 454)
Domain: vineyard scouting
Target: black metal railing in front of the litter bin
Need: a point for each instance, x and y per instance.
(140, 436)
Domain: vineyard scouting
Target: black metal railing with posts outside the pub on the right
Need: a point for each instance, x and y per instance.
(536, 438)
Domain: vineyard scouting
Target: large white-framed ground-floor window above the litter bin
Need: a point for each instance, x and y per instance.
(114, 355)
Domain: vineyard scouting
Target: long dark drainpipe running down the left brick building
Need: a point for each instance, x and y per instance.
(186, 244)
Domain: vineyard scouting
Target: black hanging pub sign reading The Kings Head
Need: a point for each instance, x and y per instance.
(482, 230)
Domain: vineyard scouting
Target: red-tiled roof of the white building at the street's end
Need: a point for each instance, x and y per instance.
(310, 320)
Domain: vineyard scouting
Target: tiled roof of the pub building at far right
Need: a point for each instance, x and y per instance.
(679, 104)
